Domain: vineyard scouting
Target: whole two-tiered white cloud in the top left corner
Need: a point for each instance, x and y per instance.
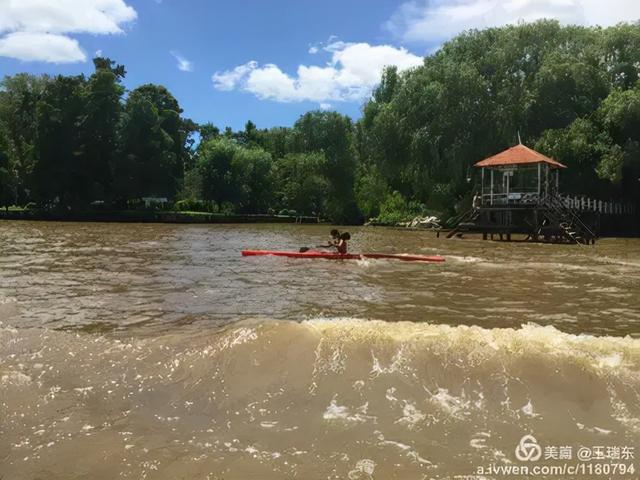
(38, 30)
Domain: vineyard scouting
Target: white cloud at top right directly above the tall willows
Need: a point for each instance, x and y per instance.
(437, 20)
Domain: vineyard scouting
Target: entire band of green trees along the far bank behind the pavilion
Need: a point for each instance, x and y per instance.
(571, 92)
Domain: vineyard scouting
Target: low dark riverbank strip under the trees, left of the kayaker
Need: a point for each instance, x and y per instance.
(151, 216)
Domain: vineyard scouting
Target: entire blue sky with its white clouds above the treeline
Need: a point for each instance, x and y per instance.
(267, 61)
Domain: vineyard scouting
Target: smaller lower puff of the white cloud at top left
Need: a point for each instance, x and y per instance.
(43, 47)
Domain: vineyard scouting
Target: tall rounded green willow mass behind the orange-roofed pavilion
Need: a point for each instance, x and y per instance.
(569, 91)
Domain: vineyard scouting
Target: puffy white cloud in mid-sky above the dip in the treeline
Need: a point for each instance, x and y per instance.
(350, 75)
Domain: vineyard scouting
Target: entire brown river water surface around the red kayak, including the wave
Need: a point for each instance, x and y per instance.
(158, 352)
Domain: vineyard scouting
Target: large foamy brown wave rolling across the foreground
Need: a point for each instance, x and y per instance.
(294, 388)
